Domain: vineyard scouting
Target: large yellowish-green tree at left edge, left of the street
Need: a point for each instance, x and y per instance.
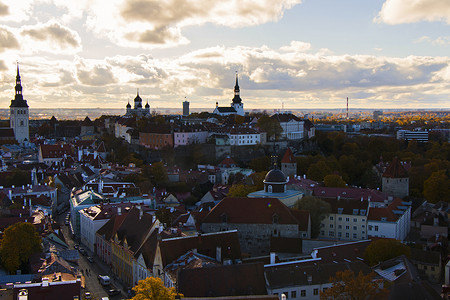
(18, 243)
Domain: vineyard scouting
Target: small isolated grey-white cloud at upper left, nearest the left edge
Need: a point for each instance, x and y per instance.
(51, 32)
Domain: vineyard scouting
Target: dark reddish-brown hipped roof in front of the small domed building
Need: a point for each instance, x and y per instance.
(251, 211)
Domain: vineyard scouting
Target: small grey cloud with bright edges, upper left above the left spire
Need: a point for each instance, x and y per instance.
(54, 32)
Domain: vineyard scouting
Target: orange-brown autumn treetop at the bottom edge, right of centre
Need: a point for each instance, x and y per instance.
(348, 286)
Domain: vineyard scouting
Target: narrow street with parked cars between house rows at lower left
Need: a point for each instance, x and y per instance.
(91, 270)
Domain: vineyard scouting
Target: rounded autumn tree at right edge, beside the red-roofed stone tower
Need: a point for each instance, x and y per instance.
(437, 187)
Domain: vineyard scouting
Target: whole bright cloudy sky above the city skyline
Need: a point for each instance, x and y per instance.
(291, 54)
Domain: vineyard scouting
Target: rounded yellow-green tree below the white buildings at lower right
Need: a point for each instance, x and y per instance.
(384, 249)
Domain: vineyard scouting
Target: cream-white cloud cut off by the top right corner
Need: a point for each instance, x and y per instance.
(407, 11)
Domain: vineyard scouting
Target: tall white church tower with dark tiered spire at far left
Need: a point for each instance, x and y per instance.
(19, 116)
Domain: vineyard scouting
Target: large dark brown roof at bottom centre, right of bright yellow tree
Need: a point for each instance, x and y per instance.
(229, 280)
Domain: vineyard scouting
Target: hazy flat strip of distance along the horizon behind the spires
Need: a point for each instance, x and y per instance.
(93, 113)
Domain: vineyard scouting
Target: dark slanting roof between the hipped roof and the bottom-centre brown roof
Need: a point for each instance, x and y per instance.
(205, 244)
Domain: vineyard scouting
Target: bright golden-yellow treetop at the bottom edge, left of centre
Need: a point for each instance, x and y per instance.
(153, 288)
